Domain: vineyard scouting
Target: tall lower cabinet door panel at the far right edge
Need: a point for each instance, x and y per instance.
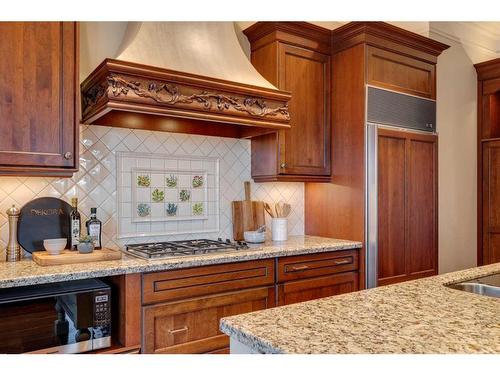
(491, 202)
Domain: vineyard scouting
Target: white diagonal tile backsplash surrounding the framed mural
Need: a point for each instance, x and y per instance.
(95, 183)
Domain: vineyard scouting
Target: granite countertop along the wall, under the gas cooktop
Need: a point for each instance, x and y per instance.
(27, 272)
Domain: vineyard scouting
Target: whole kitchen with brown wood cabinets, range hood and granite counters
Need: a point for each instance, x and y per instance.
(162, 154)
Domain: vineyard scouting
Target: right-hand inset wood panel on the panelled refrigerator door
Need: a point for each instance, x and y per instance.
(422, 180)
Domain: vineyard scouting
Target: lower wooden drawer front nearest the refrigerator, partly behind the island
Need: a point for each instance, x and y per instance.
(318, 287)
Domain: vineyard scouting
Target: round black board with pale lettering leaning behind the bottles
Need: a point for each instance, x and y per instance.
(43, 218)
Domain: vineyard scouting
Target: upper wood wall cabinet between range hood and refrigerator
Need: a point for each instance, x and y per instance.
(295, 57)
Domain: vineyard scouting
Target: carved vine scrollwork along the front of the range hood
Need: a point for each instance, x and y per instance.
(170, 94)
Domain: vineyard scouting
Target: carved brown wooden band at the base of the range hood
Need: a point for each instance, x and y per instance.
(132, 95)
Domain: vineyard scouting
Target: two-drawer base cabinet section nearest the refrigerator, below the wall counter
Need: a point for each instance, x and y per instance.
(306, 277)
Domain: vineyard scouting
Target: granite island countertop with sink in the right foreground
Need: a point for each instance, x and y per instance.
(421, 316)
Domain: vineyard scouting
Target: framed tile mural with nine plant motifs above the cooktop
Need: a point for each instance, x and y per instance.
(179, 194)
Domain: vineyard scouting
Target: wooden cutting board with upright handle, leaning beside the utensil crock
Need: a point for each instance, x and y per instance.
(247, 214)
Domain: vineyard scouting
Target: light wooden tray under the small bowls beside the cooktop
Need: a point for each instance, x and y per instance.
(43, 258)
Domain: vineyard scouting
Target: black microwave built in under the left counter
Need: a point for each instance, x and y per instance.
(66, 317)
